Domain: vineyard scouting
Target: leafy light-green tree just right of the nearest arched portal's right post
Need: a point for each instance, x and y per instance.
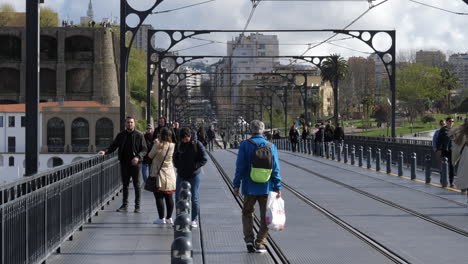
(418, 86)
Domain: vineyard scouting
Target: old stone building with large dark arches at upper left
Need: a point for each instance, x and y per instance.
(76, 64)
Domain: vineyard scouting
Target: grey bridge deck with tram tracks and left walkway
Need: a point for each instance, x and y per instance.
(309, 237)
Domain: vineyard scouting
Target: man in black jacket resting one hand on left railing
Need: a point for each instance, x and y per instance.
(132, 149)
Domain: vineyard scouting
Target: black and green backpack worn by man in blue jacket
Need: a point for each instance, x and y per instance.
(262, 163)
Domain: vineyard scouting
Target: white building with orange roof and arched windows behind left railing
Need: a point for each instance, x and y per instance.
(74, 130)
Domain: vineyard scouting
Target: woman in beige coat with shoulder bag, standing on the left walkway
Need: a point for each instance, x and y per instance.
(162, 181)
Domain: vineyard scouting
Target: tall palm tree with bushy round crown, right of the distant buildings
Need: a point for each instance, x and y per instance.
(334, 69)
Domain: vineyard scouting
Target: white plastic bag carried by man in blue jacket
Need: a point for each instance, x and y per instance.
(275, 214)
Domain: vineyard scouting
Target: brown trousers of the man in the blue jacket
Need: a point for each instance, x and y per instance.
(247, 218)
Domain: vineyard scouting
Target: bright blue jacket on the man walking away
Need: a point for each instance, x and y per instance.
(243, 166)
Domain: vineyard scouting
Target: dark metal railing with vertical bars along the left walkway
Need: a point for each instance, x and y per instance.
(38, 213)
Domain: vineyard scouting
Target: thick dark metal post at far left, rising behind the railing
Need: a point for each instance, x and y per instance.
(32, 85)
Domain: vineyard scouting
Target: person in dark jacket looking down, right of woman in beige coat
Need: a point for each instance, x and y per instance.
(188, 160)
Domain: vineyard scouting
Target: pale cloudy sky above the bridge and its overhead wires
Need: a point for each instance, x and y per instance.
(417, 27)
